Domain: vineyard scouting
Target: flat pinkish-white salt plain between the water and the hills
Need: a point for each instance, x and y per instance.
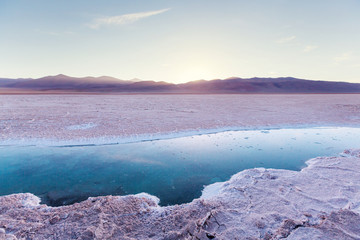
(71, 117)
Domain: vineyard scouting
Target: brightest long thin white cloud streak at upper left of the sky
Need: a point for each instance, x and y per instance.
(124, 19)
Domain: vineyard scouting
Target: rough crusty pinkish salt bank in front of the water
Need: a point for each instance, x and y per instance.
(322, 201)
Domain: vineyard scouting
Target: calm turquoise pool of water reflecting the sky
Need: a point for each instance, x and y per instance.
(175, 170)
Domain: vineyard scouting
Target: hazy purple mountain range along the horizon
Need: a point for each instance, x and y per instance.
(230, 85)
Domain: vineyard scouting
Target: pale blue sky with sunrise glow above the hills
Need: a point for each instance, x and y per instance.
(179, 41)
